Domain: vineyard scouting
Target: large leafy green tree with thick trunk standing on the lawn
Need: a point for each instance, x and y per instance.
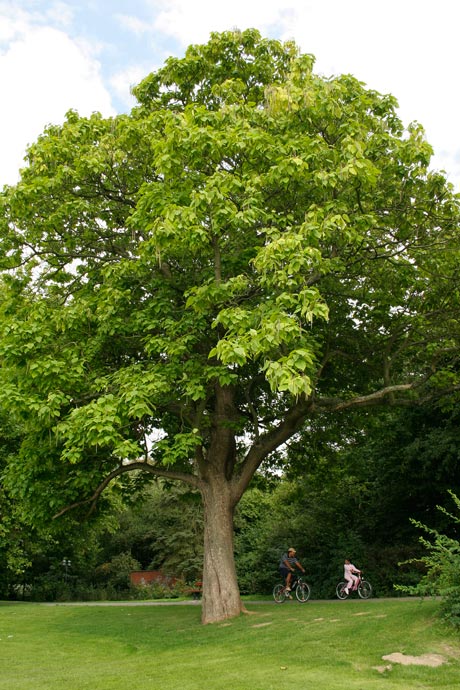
(187, 285)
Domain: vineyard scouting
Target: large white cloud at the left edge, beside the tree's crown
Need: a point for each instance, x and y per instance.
(43, 75)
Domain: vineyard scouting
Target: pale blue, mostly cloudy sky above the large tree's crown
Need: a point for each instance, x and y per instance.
(86, 54)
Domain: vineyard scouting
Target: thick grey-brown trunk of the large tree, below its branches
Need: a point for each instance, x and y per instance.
(221, 596)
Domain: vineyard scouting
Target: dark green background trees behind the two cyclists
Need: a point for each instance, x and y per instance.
(354, 485)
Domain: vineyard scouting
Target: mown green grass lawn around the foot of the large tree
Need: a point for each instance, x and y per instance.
(322, 645)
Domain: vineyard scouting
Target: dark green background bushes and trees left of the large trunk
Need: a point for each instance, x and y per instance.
(163, 531)
